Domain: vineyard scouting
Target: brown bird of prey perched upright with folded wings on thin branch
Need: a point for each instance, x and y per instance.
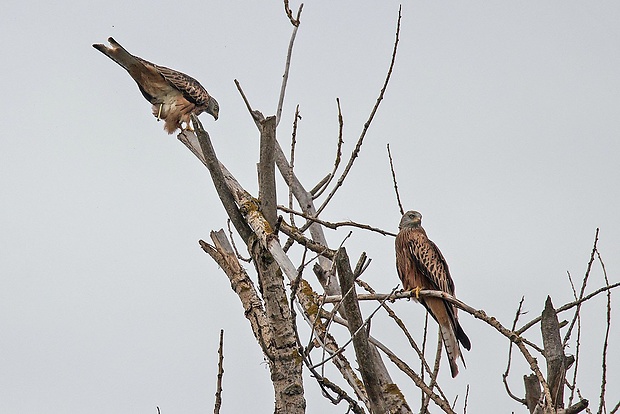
(420, 266)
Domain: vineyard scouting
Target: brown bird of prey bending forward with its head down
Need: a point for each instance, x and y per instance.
(174, 95)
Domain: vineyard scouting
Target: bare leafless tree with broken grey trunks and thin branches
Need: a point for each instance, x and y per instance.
(270, 305)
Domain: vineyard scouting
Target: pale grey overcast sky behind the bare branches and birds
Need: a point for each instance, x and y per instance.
(503, 119)
